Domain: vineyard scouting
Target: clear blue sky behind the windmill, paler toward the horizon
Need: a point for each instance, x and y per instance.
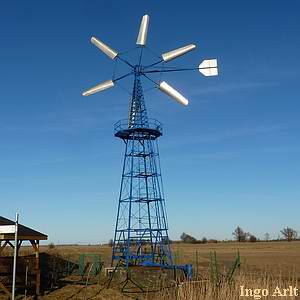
(229, 158)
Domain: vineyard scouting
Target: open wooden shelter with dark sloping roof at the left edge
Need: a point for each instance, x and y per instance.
(24, 234)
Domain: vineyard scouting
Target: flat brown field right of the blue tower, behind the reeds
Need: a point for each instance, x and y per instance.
(261, 256)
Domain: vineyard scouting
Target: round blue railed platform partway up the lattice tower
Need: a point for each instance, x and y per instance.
(151, 131)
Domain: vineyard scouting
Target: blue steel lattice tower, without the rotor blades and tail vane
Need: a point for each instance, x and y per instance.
(141, 233)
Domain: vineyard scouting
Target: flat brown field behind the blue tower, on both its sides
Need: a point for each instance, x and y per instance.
(260, 256)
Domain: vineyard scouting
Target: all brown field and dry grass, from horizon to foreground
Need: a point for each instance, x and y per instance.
(263, 265)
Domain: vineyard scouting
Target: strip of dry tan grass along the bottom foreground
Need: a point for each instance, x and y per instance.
(194, 290)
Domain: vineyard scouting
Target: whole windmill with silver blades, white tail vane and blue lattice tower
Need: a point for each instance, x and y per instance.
(141, 232)
